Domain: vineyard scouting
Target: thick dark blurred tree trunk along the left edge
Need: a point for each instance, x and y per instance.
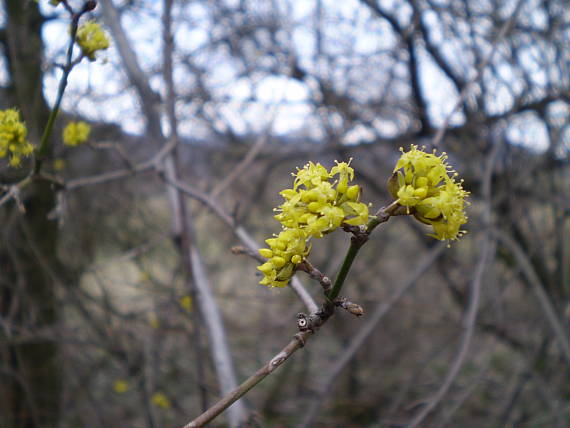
(29, 379)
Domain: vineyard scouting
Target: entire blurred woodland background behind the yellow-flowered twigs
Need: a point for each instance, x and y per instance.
(120, 300)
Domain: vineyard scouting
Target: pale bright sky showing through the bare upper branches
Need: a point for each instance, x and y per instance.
(99, 89)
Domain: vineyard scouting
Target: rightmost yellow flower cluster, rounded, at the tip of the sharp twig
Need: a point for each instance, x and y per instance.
(425, 183)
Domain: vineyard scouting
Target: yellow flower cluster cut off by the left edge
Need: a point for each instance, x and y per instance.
(13, 132)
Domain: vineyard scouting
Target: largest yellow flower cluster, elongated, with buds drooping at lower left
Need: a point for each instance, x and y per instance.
(319, 202)
